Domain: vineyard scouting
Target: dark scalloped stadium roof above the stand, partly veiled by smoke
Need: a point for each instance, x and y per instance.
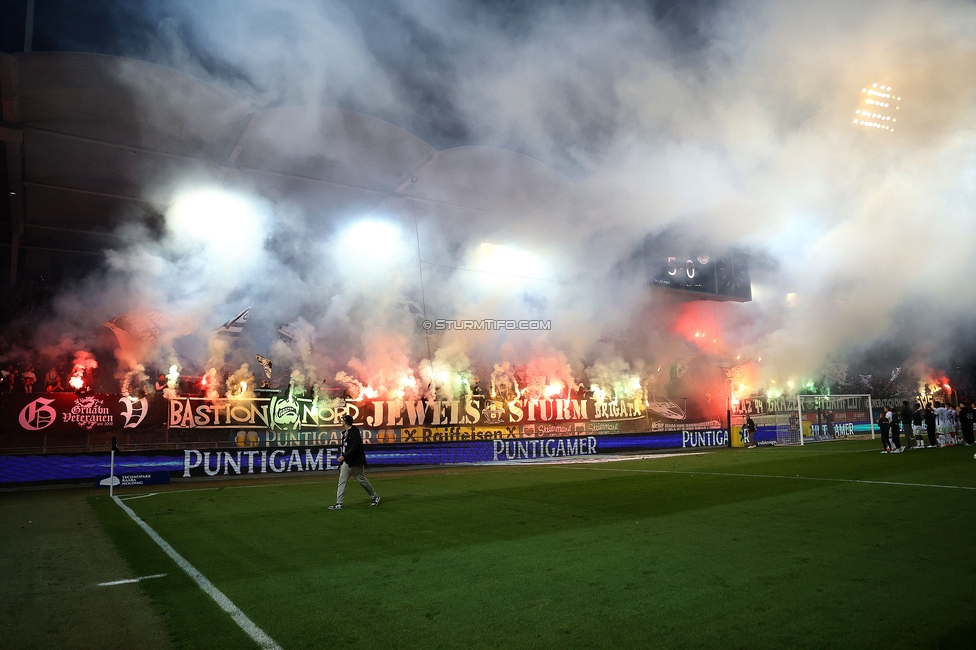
(93, 141)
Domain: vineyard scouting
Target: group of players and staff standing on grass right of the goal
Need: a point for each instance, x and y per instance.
(926, 427)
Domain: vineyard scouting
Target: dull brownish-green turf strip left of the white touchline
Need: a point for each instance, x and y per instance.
(54, 554)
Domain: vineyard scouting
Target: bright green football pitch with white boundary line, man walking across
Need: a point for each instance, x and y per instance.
(826, 546)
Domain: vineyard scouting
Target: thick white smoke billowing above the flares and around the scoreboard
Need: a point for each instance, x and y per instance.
(742, 139)
